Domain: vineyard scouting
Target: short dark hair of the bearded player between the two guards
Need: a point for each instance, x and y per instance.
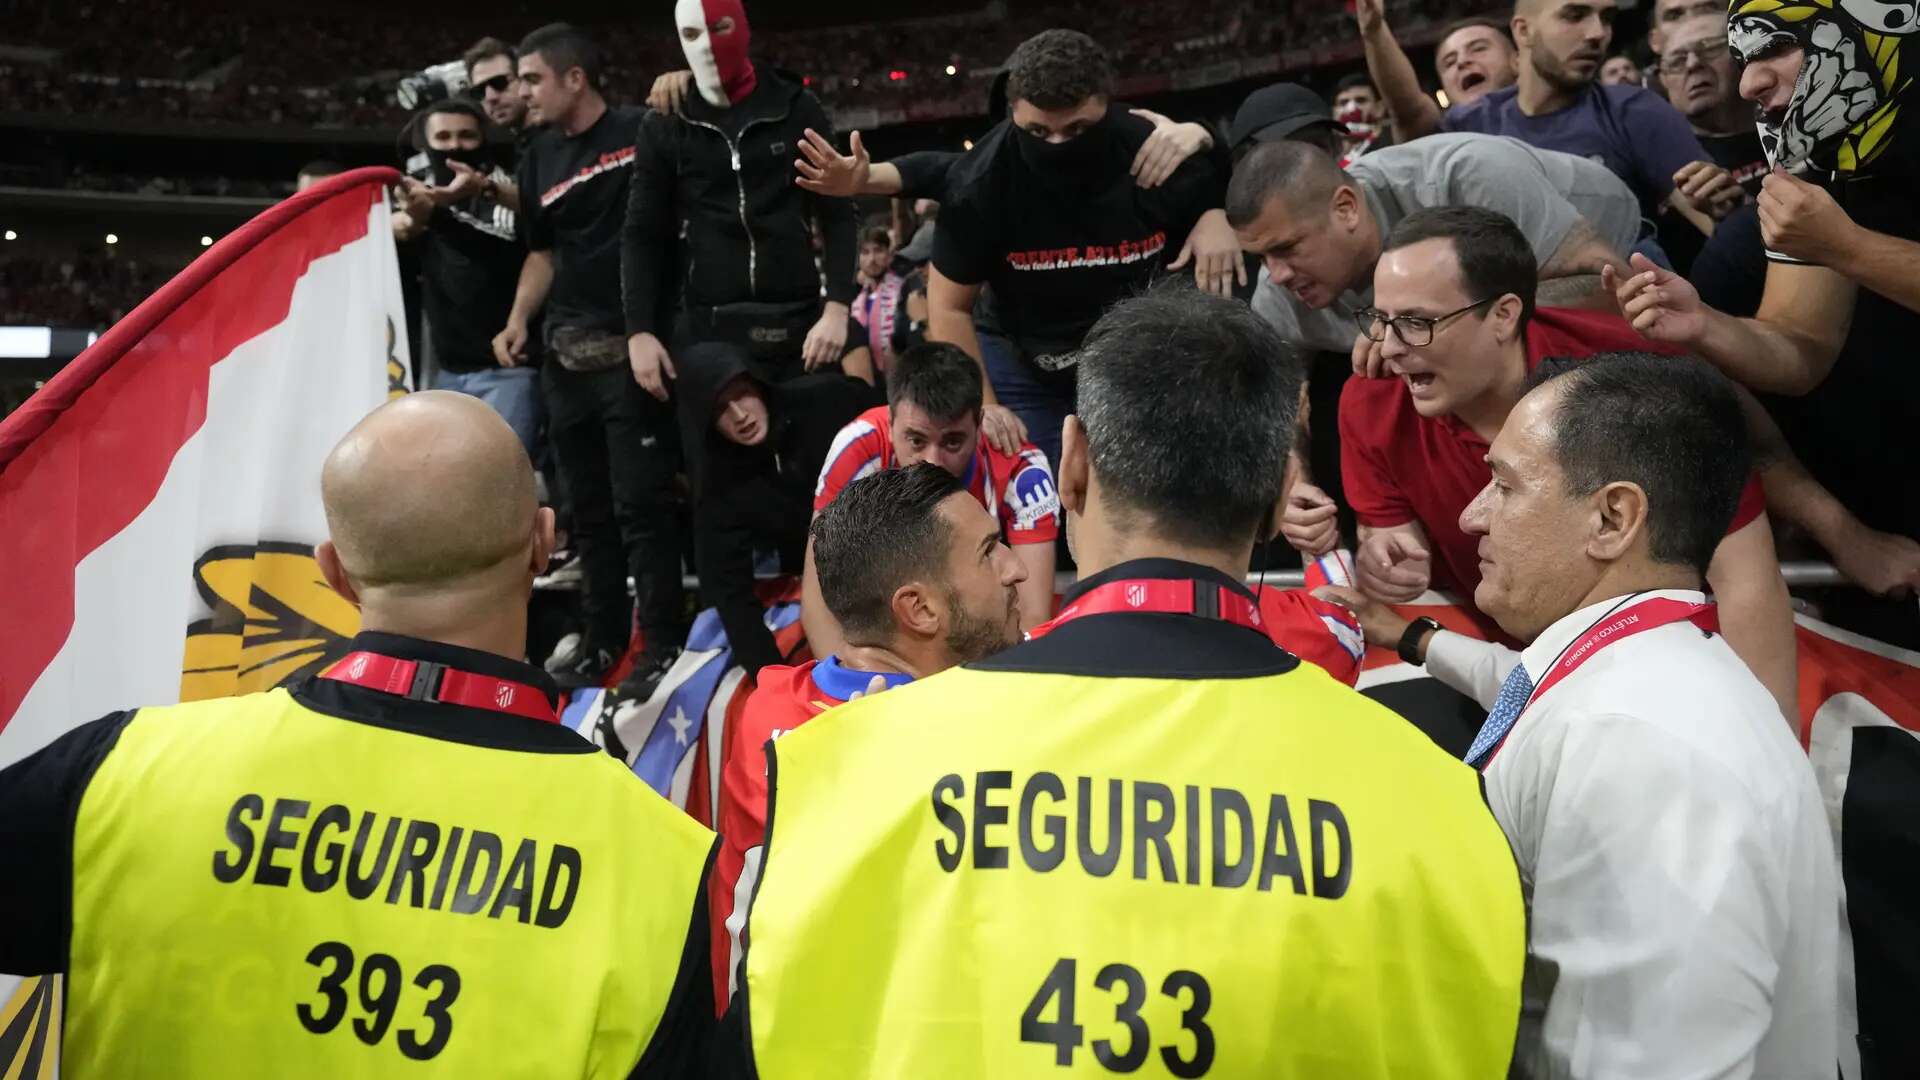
(880, 533)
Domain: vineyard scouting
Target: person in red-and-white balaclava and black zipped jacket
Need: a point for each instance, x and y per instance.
(715, 182)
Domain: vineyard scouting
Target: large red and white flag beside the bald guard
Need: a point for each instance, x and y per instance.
(160, 499)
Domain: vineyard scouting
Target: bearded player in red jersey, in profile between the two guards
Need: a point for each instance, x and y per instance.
(919, 579)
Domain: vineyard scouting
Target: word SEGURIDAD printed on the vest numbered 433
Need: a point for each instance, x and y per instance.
(1191, 835)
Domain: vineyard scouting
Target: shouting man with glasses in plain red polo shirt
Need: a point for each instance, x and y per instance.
(1458, 330)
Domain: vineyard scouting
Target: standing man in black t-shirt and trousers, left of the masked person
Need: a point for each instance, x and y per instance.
(617, 447)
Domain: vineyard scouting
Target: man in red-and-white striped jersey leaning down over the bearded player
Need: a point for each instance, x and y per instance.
(932, 414)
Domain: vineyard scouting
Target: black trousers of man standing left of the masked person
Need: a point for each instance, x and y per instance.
(619, 451)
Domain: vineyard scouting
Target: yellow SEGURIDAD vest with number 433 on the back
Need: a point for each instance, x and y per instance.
(1005, 873)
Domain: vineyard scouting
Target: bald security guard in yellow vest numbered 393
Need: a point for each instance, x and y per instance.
(398, 868)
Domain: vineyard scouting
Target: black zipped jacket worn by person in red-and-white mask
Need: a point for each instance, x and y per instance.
(729, 178)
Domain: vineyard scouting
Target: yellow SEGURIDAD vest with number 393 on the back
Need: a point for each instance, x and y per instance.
(266, 891)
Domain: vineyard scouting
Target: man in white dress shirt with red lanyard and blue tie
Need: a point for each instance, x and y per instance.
(1669, 835)
